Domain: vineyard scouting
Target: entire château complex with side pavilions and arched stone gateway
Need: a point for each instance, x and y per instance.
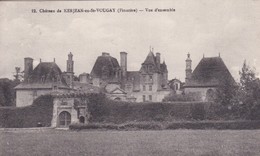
(148, 84)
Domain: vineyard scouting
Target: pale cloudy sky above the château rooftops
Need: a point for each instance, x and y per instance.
(202, 27)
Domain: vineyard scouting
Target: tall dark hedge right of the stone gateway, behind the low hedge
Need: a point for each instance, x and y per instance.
(104, 110)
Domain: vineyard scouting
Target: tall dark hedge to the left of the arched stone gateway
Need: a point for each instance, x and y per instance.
(20, 117)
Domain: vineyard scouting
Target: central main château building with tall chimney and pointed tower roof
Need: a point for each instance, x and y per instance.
(150, 83)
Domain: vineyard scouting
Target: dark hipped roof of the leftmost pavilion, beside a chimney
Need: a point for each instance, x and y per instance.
(44, 76)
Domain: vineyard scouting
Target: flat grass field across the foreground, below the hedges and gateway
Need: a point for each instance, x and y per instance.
(130, 143)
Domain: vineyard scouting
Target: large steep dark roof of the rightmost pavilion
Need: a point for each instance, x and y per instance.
(210, 72)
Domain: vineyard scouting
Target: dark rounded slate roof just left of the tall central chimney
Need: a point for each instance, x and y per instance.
(109, 63)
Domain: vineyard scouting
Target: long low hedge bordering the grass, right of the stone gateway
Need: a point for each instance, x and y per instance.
(220, 125)
